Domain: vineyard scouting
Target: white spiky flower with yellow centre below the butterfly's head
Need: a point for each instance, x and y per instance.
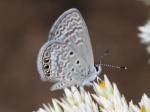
(109, 98)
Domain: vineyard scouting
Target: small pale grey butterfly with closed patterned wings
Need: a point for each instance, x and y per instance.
(66, 59)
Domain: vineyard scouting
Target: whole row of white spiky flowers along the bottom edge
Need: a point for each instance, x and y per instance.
(107, 98)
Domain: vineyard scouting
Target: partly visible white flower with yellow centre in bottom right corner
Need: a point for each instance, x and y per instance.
(144, 105)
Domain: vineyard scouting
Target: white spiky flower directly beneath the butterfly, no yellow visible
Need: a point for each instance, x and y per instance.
(73, 101)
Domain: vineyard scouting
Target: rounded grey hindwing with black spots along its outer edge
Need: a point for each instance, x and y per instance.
(57, 62)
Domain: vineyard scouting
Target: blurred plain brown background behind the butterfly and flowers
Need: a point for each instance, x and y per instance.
(112, 25)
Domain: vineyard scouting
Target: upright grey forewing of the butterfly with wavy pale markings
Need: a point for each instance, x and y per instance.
(71, 28)
